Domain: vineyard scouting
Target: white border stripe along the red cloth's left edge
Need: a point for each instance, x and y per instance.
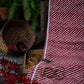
(45, 45)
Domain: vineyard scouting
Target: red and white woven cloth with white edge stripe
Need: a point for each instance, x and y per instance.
(64, 43)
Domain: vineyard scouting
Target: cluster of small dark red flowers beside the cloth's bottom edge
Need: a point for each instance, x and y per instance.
(12, 78)
